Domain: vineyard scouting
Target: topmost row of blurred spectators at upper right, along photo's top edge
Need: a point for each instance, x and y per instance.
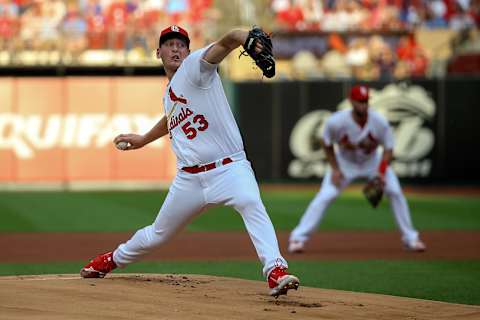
(375, 15)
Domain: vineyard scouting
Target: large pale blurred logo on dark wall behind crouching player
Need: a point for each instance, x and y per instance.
(410, 110)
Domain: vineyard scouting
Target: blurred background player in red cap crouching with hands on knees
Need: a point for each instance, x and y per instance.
(351, 139)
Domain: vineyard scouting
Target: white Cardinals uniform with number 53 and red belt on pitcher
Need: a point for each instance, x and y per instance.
(212, 166)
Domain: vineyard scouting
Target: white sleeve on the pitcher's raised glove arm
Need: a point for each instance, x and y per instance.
(200, 72)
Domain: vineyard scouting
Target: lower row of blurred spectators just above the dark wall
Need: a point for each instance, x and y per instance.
(365, 57)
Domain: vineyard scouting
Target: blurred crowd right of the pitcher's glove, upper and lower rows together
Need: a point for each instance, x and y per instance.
(372, 53)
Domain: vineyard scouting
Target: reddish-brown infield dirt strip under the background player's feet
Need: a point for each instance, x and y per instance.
(346, 245)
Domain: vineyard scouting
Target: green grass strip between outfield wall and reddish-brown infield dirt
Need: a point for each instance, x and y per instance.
(128, 211)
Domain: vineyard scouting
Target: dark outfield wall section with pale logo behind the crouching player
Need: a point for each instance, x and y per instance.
(435, 126)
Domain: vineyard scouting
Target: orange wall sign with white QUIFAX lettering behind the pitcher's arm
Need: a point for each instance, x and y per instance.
(61, 130)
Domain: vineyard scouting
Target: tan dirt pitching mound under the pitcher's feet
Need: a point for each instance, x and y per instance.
(150, 296)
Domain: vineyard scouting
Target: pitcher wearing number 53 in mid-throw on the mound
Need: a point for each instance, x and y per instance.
(211, 162)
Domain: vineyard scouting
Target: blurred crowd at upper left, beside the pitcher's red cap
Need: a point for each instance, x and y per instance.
(76, 25)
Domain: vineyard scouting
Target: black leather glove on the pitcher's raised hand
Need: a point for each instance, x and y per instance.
(264, 59)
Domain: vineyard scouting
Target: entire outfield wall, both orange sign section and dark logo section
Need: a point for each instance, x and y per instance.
(57, 130)
